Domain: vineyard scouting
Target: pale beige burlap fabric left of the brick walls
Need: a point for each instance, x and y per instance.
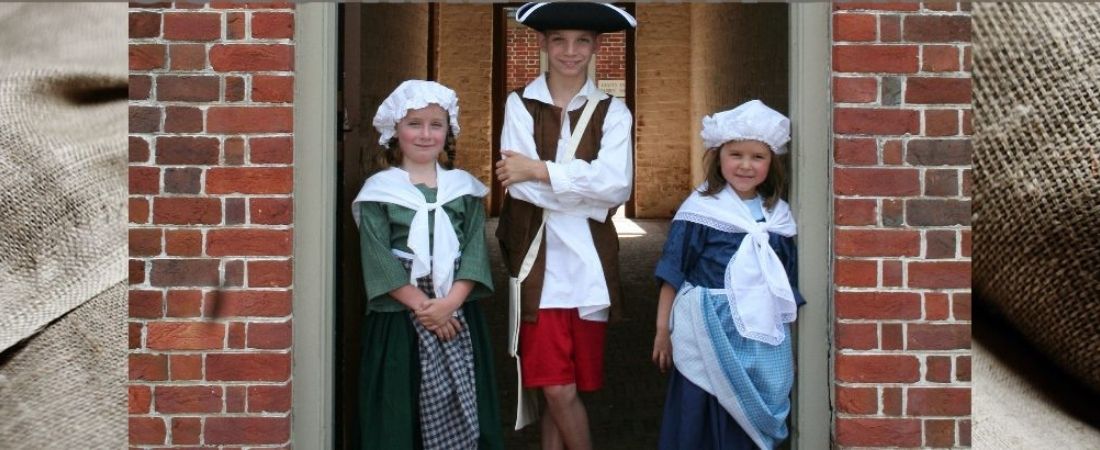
(63, 246)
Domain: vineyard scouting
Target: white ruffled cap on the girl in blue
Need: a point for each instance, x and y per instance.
(752, 120)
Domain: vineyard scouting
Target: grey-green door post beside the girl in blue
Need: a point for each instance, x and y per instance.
(812, 150)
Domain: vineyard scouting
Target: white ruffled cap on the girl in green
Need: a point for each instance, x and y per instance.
(414, 94)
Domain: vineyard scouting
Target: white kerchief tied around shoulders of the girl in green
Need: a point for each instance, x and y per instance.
(393, 186)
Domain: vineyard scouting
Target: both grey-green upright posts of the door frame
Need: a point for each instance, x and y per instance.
(315, 210)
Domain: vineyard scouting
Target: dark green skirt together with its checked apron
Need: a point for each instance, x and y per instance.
(421, 393)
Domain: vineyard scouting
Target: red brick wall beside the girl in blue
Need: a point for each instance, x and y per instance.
(901, 89)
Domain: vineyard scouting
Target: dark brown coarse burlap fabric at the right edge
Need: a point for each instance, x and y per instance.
(1037, 204)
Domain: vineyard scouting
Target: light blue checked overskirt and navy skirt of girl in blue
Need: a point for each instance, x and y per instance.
(728, 392)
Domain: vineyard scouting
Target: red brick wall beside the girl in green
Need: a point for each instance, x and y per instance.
(211, 224)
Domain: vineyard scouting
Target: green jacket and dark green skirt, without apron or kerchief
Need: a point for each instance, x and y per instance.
(390, 368)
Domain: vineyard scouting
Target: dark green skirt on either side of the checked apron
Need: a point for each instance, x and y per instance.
(390, 382)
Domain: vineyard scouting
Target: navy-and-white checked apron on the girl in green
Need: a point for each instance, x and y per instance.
(448, 389)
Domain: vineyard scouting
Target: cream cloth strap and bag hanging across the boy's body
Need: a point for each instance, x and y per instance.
(527, 411)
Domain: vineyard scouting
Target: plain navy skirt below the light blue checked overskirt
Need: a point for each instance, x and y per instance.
(695, 420)
